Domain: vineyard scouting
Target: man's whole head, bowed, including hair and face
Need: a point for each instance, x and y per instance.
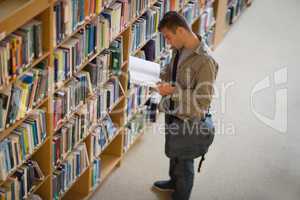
(174, 28)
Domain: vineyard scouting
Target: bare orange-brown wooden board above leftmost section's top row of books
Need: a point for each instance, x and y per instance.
(15, 13)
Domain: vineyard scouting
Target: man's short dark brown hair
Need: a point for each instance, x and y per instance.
(172, 20)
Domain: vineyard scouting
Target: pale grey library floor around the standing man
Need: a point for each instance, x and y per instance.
(249, 160)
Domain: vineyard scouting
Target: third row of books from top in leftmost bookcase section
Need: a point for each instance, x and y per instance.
(22, 142)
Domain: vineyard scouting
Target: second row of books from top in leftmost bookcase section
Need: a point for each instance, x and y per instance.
(27, 92)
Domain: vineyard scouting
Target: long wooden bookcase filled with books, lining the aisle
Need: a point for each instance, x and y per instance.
(64, 132)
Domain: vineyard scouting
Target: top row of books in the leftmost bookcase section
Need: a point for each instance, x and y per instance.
(19, 50)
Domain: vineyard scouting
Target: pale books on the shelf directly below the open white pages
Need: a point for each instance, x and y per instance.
(137, 98)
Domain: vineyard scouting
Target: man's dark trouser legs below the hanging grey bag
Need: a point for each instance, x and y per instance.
(182, 176)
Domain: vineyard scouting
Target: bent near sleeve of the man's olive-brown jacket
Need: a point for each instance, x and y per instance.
(193, 102)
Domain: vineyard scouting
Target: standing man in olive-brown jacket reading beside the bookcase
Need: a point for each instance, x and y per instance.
(187, 89)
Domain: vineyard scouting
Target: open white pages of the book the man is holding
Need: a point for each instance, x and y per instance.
(143, 72)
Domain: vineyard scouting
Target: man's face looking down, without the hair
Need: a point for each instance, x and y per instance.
(175, 39)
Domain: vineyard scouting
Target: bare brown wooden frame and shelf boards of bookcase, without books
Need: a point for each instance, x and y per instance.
(16, 13)
